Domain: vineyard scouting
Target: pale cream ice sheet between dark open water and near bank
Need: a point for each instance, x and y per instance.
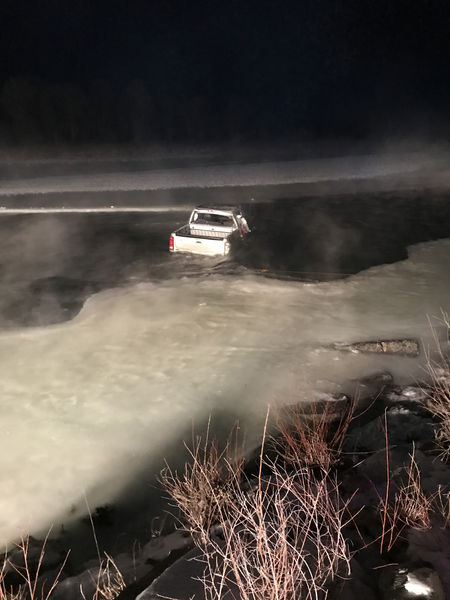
(83, 403)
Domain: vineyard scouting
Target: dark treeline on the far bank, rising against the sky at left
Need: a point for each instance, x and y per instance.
(32, 110)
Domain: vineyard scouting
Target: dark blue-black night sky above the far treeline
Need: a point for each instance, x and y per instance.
(330, 63)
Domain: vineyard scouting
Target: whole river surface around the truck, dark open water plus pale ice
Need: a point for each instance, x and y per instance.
(111, 350)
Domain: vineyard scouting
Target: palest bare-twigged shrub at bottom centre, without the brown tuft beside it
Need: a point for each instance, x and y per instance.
(284, 540)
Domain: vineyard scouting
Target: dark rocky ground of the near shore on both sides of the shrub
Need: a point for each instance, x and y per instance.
(392, 445)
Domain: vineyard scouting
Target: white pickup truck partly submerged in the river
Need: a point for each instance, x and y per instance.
(210, 231)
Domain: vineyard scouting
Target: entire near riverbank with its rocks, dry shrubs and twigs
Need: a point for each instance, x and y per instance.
(375, 469)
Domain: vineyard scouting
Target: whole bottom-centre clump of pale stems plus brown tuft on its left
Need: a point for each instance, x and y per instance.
(277, 537)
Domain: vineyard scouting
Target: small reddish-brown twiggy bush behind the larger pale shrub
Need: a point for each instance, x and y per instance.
(313, 439)
